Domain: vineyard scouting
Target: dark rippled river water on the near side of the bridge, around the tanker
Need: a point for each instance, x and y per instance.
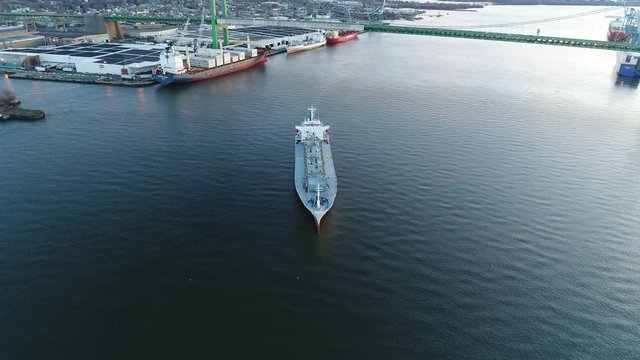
(488, 207)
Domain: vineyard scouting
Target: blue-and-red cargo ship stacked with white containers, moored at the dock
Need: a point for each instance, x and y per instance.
(206, 64)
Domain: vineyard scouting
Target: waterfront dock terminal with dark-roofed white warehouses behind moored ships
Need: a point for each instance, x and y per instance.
(133, 64)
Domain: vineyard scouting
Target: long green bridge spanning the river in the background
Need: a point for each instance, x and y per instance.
(369, 27)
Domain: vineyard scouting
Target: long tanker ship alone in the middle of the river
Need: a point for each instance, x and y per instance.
(315, 177)
